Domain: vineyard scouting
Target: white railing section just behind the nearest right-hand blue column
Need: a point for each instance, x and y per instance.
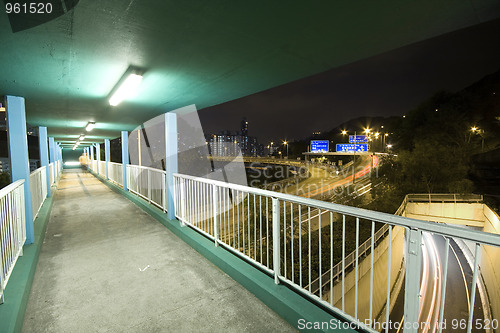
(148, 183)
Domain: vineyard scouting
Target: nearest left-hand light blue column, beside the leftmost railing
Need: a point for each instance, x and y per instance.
(18, 152)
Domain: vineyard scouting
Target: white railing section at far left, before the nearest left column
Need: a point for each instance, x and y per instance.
(12, 230)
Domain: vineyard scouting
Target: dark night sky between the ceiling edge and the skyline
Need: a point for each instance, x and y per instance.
(388, 84)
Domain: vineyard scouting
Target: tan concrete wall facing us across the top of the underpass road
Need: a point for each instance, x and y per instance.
(470, 214)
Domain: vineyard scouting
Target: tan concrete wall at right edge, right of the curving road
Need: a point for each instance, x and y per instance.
(490, 262)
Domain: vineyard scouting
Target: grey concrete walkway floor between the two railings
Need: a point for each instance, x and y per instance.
(107, 266)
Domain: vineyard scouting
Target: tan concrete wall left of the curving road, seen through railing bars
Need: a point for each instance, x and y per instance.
(379, 279)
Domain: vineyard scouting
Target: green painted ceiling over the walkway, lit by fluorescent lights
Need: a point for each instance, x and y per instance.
(200, 52)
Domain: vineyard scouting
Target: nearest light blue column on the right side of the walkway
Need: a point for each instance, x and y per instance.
(170, 160)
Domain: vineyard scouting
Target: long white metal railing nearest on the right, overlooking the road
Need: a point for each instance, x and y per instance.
(297, 240)
